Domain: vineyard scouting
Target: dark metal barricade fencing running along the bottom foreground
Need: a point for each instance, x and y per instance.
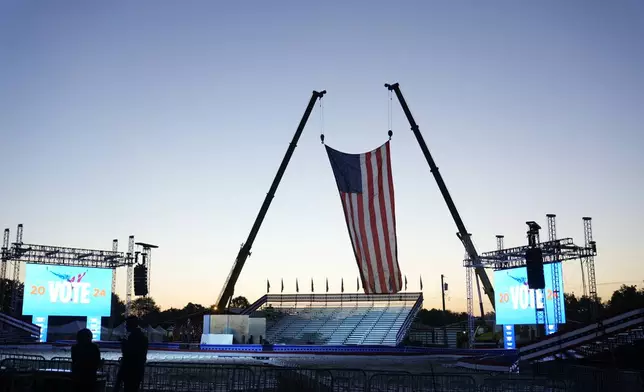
(22, 373)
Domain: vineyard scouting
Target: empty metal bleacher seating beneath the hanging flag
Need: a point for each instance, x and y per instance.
(337, 319)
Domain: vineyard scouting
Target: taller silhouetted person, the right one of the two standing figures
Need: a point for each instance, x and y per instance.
(134, 350)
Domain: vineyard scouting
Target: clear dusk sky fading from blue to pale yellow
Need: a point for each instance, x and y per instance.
(168, 120)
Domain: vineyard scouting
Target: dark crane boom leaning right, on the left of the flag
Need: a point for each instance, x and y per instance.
(227, 291)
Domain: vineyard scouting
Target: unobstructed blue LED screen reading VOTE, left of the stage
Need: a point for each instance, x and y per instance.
(52, 290)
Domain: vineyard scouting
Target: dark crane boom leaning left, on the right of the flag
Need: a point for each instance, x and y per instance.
(464, 236)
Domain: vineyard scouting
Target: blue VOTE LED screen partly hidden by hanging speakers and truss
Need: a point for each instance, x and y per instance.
(515, 303)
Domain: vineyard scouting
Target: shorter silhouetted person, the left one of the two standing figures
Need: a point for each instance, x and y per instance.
(86, 359)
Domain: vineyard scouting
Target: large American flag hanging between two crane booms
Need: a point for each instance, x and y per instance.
(367, 193)
